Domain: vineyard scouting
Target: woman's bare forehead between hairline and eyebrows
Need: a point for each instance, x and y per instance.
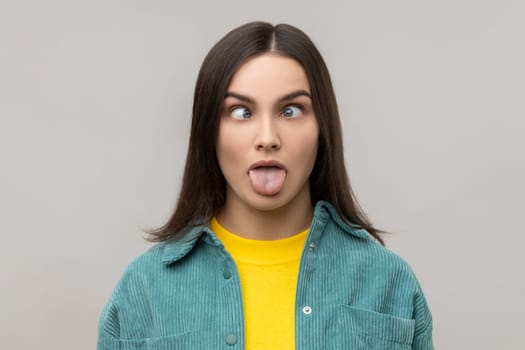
(269, 76)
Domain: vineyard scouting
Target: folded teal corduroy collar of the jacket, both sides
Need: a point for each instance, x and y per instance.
(176, 248)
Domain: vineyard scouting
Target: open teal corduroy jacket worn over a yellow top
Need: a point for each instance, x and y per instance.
(352, 293)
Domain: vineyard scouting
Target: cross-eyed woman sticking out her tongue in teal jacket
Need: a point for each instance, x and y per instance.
(267, 247)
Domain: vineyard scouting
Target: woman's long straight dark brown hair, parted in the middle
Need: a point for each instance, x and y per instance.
(203, 188)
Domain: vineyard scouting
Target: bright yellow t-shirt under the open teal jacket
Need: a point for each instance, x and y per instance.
(268, 272)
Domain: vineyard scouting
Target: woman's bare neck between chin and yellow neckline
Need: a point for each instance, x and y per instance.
(249, 222)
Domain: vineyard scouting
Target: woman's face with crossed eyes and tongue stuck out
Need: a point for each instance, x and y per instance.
(268, 134)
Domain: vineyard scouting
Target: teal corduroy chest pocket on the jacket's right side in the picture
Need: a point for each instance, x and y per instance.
(369, 330)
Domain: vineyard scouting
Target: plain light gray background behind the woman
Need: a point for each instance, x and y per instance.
(95, 100)
